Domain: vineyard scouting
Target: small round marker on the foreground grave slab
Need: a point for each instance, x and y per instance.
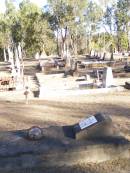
(35, 133)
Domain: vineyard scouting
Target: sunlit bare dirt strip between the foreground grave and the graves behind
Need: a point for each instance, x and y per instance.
(17, 115)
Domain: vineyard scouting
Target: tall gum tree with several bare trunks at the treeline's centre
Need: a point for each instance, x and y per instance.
(64, 22)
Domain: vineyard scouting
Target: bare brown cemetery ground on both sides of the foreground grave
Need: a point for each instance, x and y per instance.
(16, 115)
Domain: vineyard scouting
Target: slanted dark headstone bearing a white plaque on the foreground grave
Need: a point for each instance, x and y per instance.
(94, 127)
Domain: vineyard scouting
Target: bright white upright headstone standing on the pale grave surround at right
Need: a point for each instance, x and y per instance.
(107, 77)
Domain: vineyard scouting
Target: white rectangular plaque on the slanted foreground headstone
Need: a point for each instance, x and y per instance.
(87, 122)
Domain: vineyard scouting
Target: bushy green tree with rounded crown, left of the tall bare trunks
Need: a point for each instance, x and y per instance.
(36, 32)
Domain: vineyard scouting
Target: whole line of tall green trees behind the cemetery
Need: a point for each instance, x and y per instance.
(65, 26)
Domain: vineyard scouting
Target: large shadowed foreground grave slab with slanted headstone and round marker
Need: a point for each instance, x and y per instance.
(57, 146)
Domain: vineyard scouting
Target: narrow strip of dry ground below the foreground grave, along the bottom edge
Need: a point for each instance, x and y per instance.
(116, 166)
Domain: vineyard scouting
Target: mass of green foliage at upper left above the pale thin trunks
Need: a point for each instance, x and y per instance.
(27, 25)
